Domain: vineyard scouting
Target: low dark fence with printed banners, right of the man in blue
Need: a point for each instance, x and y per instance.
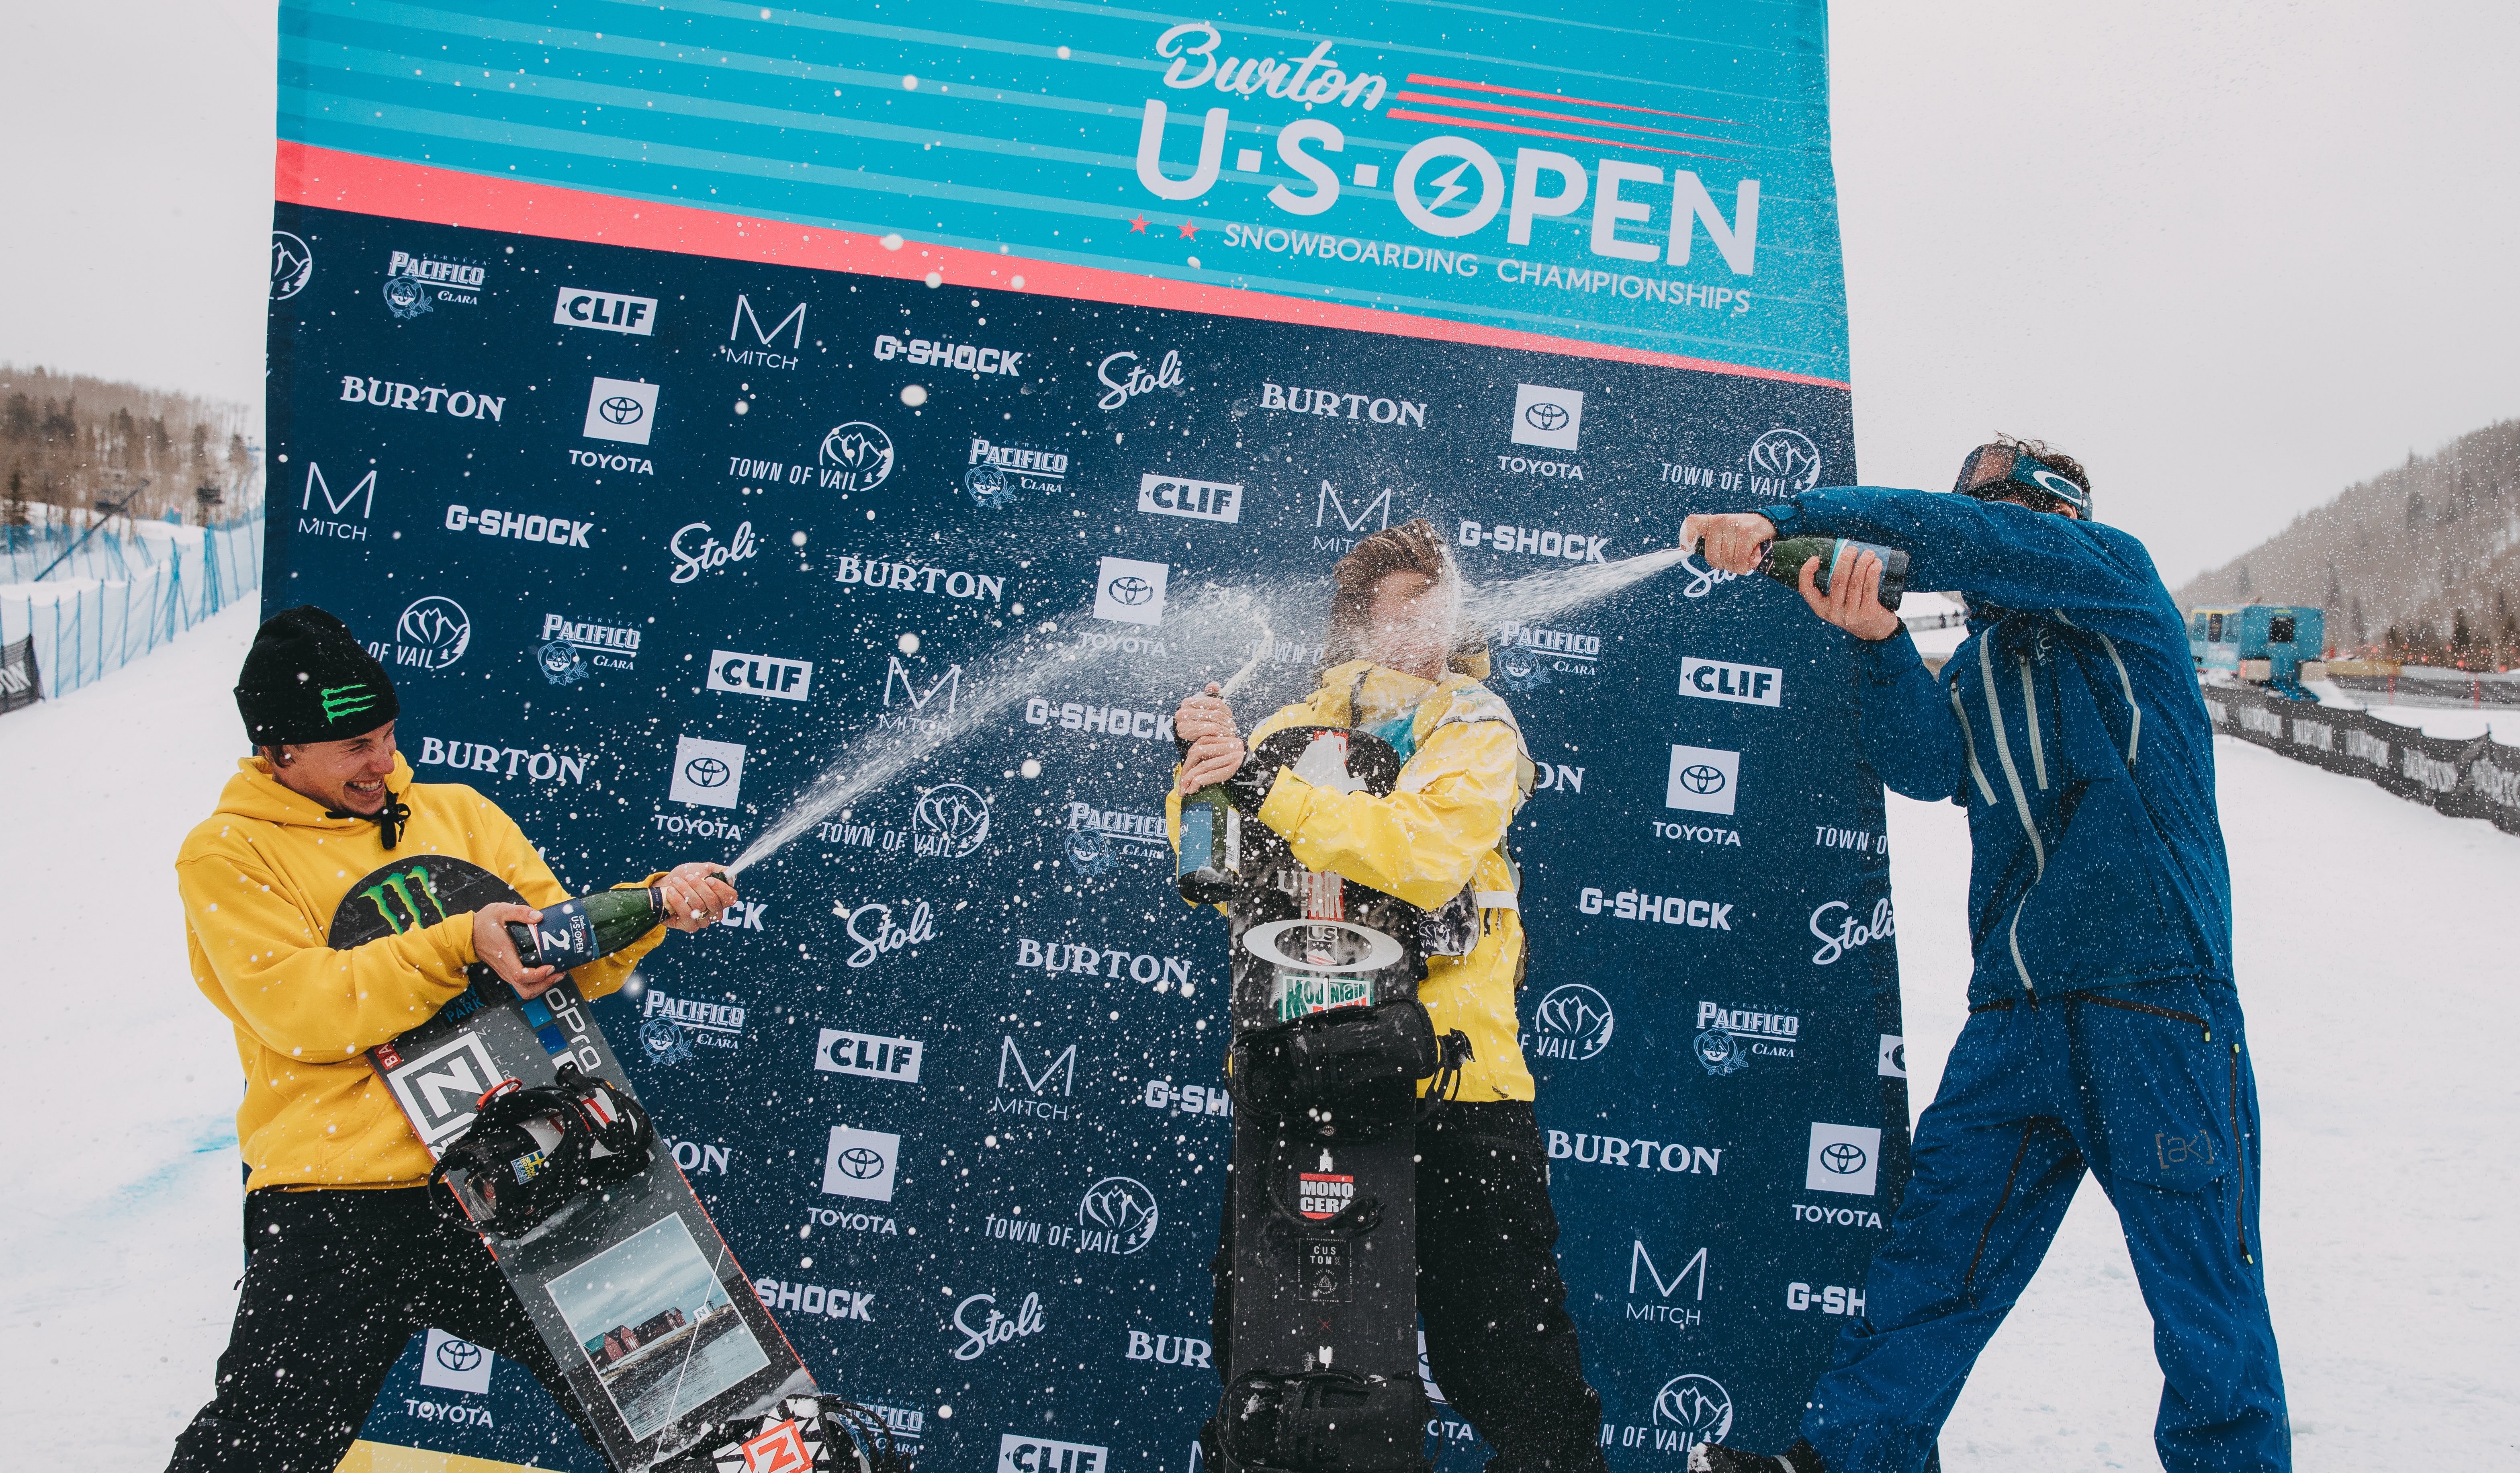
(2456, 776)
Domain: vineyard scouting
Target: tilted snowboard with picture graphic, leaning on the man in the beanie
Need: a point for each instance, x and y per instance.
(661, 1336)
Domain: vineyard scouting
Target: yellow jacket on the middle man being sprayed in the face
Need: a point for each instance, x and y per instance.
(1443, 829)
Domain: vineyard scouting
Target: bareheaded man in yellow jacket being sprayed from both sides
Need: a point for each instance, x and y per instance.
(1498, 1336)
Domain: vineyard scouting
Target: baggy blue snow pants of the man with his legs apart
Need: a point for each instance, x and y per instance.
(2153, 1093)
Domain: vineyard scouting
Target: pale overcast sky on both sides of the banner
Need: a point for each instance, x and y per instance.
(2231, 256)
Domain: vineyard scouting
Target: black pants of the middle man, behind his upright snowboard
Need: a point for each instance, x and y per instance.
(1501, 1341)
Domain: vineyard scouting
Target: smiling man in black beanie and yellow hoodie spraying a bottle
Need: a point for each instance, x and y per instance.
(344, 1252)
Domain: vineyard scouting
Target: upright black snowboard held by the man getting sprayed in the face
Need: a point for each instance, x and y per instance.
(1322, 1230)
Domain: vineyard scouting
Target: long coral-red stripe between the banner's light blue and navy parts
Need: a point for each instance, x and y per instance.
(362, 185)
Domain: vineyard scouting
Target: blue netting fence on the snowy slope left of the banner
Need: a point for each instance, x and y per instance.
(100, 594)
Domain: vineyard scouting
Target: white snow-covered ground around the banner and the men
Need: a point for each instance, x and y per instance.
(2373, 955)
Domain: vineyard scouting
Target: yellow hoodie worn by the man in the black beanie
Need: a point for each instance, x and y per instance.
(261, 882)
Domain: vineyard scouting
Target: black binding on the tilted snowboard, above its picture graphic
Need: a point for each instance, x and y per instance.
(533, 1151)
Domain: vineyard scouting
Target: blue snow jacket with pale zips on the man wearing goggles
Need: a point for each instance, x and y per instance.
(2073, 730)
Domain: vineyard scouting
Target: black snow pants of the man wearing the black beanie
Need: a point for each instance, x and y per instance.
(336, 1285)
